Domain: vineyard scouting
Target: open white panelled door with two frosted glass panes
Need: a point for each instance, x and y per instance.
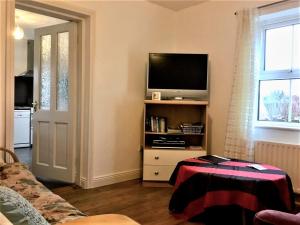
(54, 119)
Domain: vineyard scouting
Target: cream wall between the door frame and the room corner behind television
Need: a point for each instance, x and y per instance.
(125, 33)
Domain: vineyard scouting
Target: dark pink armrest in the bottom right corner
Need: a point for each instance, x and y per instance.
(267, 217)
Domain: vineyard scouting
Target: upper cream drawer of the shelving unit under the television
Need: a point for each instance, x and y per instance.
(169, 157)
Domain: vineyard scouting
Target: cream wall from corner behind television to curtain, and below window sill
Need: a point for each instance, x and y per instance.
(211, 27)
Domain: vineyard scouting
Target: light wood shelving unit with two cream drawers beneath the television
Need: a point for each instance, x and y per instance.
(159, 163)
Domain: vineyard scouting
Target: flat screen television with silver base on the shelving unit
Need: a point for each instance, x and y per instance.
(178, 75)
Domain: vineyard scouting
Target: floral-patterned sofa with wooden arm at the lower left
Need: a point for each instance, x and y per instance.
(54, 209)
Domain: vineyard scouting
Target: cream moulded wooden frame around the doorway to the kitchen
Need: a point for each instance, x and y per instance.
(85, 19)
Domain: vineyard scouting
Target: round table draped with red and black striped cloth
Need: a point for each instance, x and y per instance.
(200, 185)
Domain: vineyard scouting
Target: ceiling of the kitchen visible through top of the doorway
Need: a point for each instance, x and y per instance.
(29, 20)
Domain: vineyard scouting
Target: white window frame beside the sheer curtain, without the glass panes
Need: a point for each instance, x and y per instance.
(277, 74)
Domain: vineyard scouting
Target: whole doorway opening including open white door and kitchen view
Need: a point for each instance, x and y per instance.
(45, 94)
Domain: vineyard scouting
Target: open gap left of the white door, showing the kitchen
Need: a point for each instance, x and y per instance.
(26, 24)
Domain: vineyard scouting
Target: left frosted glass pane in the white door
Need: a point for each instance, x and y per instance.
(45, 75)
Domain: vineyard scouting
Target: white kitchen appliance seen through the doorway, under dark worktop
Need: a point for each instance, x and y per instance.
(22, 128)
